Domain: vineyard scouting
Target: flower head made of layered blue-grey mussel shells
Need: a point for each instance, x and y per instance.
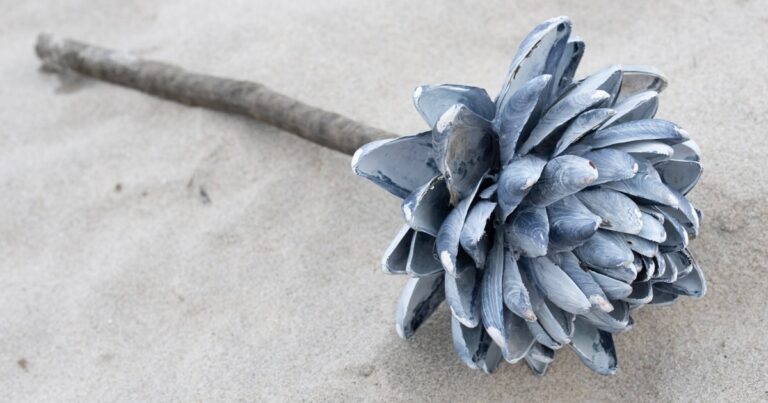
(545, 217)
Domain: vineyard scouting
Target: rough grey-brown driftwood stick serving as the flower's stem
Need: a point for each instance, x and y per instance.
(174, 83)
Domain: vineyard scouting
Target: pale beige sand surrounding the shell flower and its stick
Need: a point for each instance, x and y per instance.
(156, 252)
